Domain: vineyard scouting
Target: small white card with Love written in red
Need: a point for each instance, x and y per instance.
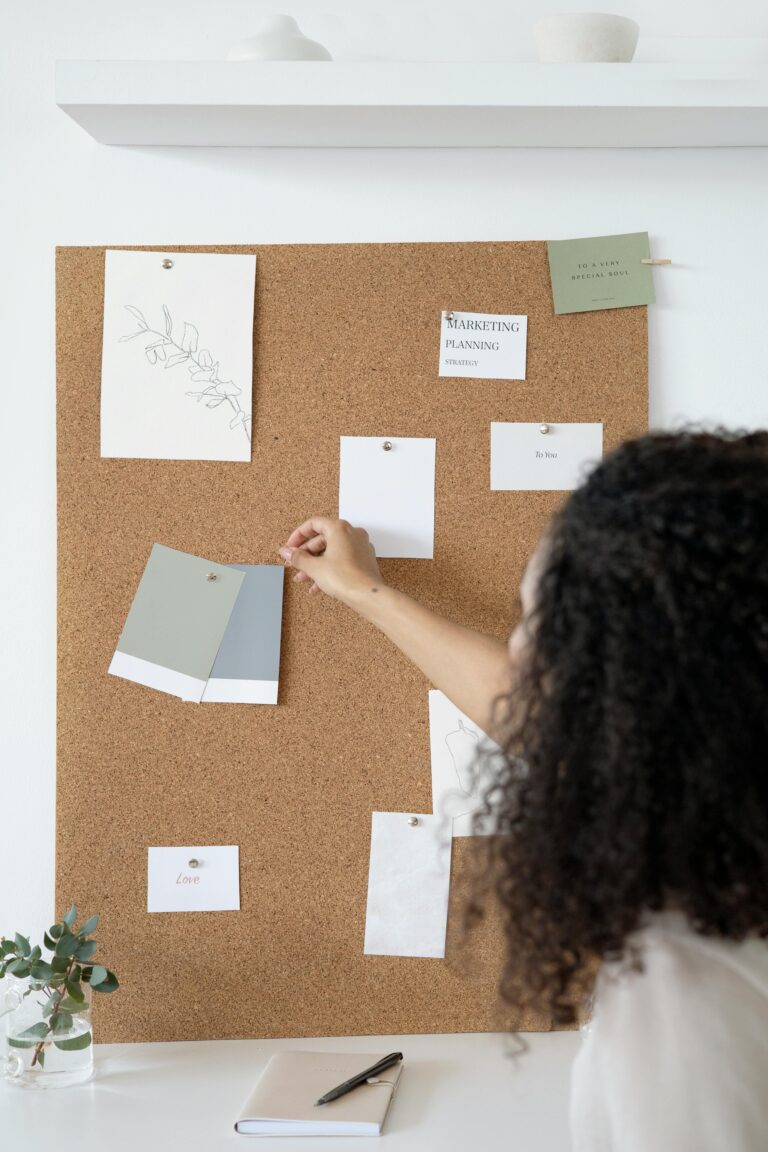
(214, 886)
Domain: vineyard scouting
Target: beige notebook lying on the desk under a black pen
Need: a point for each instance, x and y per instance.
(284, 1102)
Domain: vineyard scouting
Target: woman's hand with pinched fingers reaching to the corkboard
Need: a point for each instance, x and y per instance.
(334, 558)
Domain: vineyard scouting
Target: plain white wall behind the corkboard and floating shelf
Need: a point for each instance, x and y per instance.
(705, 210)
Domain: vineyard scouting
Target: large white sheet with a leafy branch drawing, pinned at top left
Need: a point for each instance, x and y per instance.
(177, 360)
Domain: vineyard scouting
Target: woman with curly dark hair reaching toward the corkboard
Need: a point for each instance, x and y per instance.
(634, 808)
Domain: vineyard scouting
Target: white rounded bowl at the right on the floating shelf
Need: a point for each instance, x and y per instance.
(585, 37)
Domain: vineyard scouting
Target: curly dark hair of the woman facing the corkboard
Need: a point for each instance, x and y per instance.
(637, 737)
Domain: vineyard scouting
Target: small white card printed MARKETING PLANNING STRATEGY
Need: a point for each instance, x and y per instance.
(484, 346)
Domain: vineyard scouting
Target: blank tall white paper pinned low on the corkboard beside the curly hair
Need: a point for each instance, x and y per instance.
(409, 882)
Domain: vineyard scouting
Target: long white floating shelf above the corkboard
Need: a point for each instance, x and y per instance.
(415, 105)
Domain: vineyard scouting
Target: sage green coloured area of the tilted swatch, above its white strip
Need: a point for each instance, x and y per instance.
(179, 616)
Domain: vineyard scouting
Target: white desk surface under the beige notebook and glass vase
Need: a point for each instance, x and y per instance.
(457, 1094)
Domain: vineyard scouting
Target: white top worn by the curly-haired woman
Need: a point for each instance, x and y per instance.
(676, 1058)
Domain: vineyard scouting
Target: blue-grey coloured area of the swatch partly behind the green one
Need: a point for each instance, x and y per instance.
(250, 649)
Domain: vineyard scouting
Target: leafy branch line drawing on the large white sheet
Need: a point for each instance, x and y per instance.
(203, 369)
